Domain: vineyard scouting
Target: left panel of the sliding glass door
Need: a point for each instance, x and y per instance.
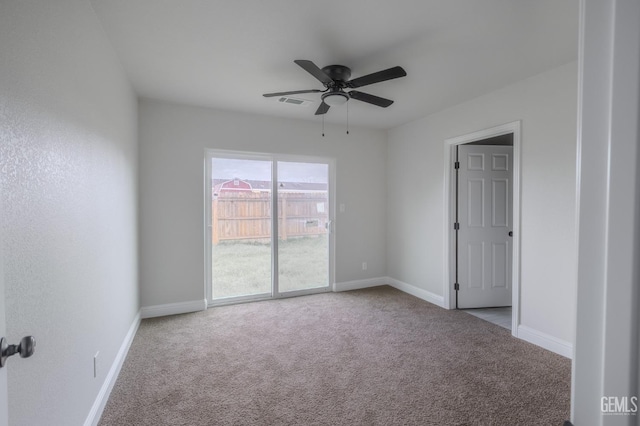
(240, 228)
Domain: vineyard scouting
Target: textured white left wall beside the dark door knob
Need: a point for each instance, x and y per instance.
(68, 172)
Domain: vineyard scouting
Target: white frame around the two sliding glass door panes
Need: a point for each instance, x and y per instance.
(274, 158)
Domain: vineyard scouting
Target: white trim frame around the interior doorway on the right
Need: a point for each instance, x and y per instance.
(449, 214)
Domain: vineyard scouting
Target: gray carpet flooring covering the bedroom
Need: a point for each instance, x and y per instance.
(367, 357)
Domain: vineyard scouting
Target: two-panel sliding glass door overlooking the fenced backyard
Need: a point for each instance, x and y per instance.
(250, 198)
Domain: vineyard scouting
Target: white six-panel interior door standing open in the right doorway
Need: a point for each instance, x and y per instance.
(485, 221)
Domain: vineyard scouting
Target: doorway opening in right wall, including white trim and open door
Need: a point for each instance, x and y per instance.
(482, 235)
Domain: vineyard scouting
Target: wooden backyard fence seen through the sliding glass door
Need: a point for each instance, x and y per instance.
(239, 215)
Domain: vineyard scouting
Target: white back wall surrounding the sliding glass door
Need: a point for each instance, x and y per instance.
(173, 139)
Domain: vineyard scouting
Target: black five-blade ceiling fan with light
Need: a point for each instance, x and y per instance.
(335, 79)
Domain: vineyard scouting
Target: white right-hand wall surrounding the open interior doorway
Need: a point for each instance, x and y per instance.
(546, 105)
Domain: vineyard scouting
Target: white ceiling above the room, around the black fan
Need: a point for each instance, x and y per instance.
(226, 53)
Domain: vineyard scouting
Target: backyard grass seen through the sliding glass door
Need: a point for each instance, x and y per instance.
(243, 268)
